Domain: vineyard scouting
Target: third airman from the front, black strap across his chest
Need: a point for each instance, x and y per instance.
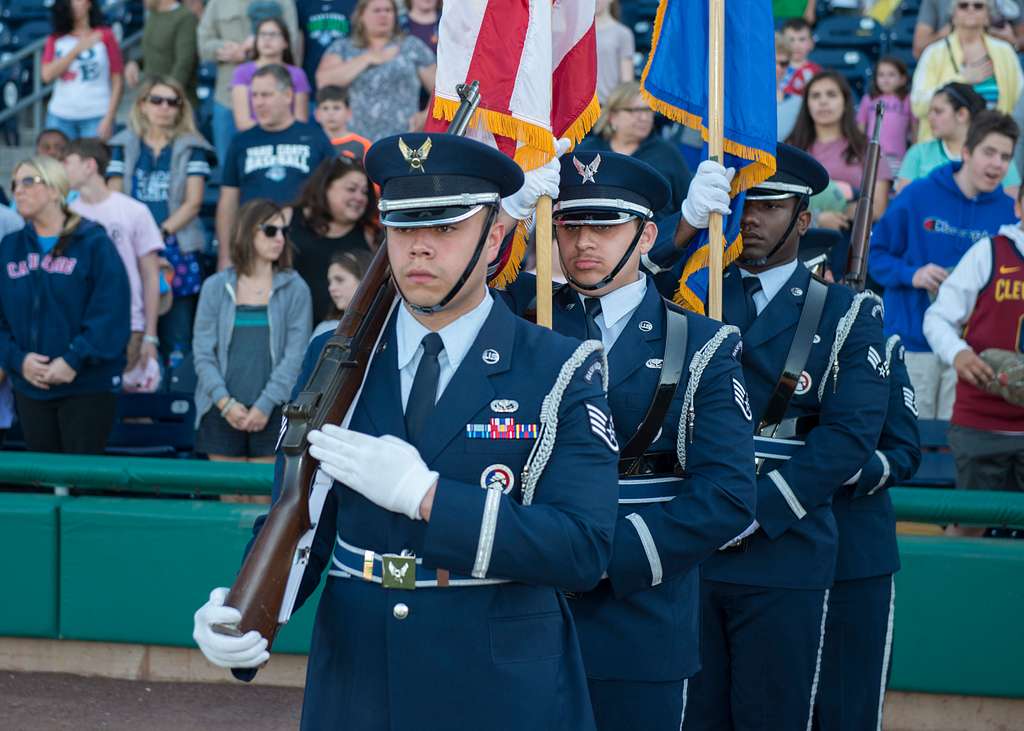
(814, 364)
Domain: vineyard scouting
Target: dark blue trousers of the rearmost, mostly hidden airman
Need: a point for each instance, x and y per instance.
(858, 657)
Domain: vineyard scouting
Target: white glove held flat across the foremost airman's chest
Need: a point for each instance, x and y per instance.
(383, 469)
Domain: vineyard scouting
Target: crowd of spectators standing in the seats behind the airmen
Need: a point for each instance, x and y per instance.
(304, 88)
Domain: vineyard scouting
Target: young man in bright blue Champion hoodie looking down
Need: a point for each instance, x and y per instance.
(926, 231)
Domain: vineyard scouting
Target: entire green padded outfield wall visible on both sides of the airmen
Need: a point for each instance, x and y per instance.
(136, 570)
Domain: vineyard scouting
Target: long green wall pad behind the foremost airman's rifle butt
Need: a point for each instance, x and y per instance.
(136, 571)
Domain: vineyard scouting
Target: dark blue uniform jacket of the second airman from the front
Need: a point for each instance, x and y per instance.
(644, 623)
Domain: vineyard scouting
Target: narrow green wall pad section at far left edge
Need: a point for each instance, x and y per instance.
(29, 543)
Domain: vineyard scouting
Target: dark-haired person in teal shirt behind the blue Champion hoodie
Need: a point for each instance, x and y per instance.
(950, 115)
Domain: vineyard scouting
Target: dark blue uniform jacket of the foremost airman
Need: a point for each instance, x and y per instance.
(501, 656)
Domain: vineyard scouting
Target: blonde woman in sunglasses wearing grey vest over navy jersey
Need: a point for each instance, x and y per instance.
(161, 160)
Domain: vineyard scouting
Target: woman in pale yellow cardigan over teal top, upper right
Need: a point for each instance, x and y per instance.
(969, 55)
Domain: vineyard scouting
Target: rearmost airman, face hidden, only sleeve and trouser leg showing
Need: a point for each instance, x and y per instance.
(858, 655)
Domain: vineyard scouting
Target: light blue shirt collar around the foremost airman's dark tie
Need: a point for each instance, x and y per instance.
(458, 338)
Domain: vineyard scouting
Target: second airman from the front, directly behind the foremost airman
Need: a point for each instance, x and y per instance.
(687, 475)
